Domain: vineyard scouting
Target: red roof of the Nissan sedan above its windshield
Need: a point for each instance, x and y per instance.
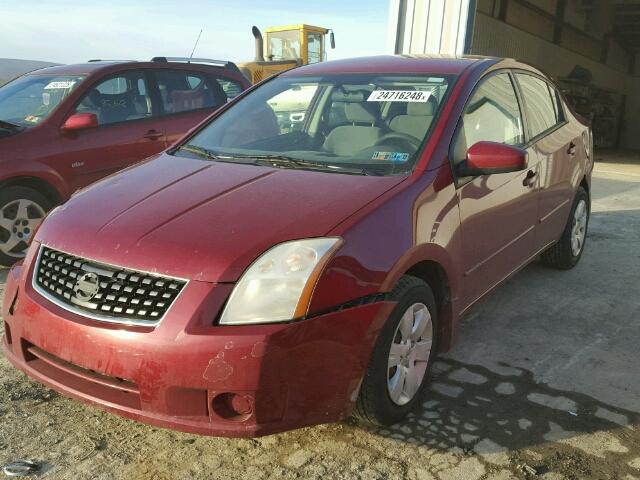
(393, 64)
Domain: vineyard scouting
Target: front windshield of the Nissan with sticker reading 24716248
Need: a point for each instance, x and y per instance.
(343, 123)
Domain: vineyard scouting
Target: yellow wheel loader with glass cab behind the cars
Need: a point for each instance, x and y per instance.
(287, 47)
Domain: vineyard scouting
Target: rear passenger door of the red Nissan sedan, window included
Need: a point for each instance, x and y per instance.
(555, 143)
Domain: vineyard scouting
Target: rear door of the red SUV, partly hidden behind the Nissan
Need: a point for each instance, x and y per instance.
(188, 97)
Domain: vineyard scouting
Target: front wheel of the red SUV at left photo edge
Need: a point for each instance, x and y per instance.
(21, 210)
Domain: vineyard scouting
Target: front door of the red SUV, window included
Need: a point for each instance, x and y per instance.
(127, 131)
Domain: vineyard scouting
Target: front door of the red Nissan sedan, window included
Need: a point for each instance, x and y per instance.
(498, 212)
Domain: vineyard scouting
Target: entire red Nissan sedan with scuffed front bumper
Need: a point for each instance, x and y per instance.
(270, 272)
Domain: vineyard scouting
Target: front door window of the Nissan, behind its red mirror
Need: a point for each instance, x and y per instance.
(493, 114)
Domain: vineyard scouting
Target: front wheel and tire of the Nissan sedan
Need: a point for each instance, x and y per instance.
(398, 371)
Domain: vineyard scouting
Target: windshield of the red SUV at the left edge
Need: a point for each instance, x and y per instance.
(30, 99)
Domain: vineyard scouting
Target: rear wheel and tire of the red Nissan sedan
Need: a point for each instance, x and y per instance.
(566, 253)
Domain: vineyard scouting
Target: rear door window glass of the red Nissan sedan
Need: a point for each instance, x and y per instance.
(542, 112)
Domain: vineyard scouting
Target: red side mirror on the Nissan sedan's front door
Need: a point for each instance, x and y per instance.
(486, 158)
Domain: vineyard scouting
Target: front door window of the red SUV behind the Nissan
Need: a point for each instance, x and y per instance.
(119, 99)
